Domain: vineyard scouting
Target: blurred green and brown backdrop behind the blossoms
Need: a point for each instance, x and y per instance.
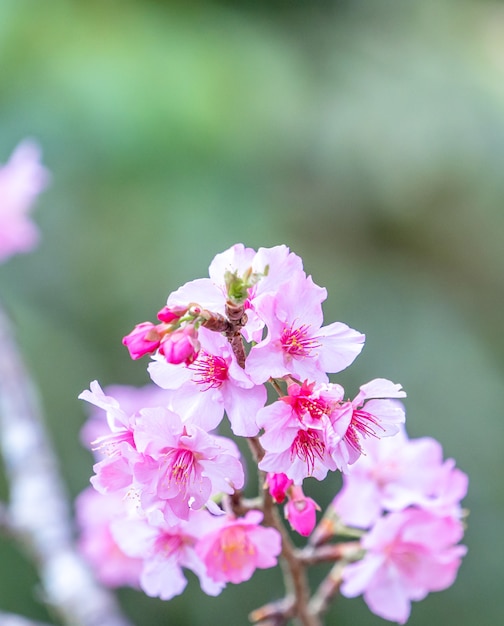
(366, 135)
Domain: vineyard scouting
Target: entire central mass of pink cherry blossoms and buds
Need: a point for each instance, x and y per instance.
(220, 342)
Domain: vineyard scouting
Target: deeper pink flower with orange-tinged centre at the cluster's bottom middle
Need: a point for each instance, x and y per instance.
(235, 550)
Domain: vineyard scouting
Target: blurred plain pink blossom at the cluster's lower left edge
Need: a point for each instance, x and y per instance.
(94, 515)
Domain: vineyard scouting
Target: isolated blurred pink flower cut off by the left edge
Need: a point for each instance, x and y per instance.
(22, 178)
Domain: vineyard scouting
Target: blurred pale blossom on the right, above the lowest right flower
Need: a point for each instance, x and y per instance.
(396, 473)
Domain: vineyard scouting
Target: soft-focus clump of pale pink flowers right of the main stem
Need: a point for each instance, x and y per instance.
(408, 500)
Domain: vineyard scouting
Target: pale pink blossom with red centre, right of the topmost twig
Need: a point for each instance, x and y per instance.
(296, 344)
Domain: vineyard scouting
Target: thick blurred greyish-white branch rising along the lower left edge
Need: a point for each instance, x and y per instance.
(38, 511)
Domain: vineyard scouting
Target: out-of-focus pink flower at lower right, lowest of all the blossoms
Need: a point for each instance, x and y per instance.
(408, 554)
